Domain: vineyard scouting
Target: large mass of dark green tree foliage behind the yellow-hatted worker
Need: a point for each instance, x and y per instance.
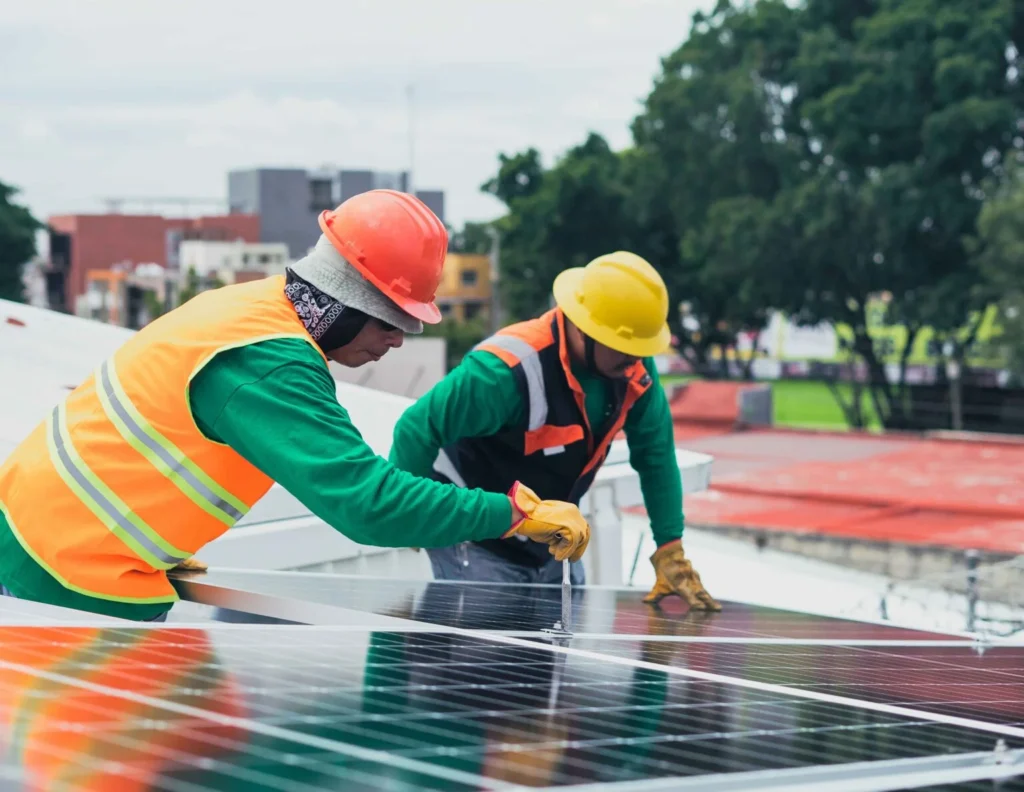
(795, 157)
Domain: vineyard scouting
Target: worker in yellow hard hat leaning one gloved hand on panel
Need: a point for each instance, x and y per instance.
(541, 402)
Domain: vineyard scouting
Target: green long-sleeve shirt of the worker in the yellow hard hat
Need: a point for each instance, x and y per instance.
(480, 398)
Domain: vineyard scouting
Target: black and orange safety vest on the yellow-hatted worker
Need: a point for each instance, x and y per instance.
(557, 452)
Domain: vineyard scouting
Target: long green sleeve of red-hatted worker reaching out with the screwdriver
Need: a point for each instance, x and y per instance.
(275, 403)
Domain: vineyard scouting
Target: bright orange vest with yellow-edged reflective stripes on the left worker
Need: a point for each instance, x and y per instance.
(118, 485)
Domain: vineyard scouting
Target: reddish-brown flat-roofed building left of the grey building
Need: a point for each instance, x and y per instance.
(82, 243)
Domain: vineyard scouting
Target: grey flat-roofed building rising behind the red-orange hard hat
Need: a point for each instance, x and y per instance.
(289, 200)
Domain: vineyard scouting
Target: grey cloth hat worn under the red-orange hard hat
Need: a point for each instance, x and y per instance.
(326, 269)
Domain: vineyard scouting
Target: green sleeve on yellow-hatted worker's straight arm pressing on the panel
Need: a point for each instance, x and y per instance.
(653, 454)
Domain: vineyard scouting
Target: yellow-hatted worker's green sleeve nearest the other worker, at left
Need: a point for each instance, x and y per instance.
(478, 399)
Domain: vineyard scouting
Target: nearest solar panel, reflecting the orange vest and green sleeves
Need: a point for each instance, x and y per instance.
(310, 708)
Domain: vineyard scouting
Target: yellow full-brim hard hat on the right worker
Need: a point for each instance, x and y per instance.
(620, 301)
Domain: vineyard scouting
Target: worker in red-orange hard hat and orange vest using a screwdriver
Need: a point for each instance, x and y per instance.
(185, 428)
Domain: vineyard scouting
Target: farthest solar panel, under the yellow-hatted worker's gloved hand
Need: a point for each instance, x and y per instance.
(521, 608)
